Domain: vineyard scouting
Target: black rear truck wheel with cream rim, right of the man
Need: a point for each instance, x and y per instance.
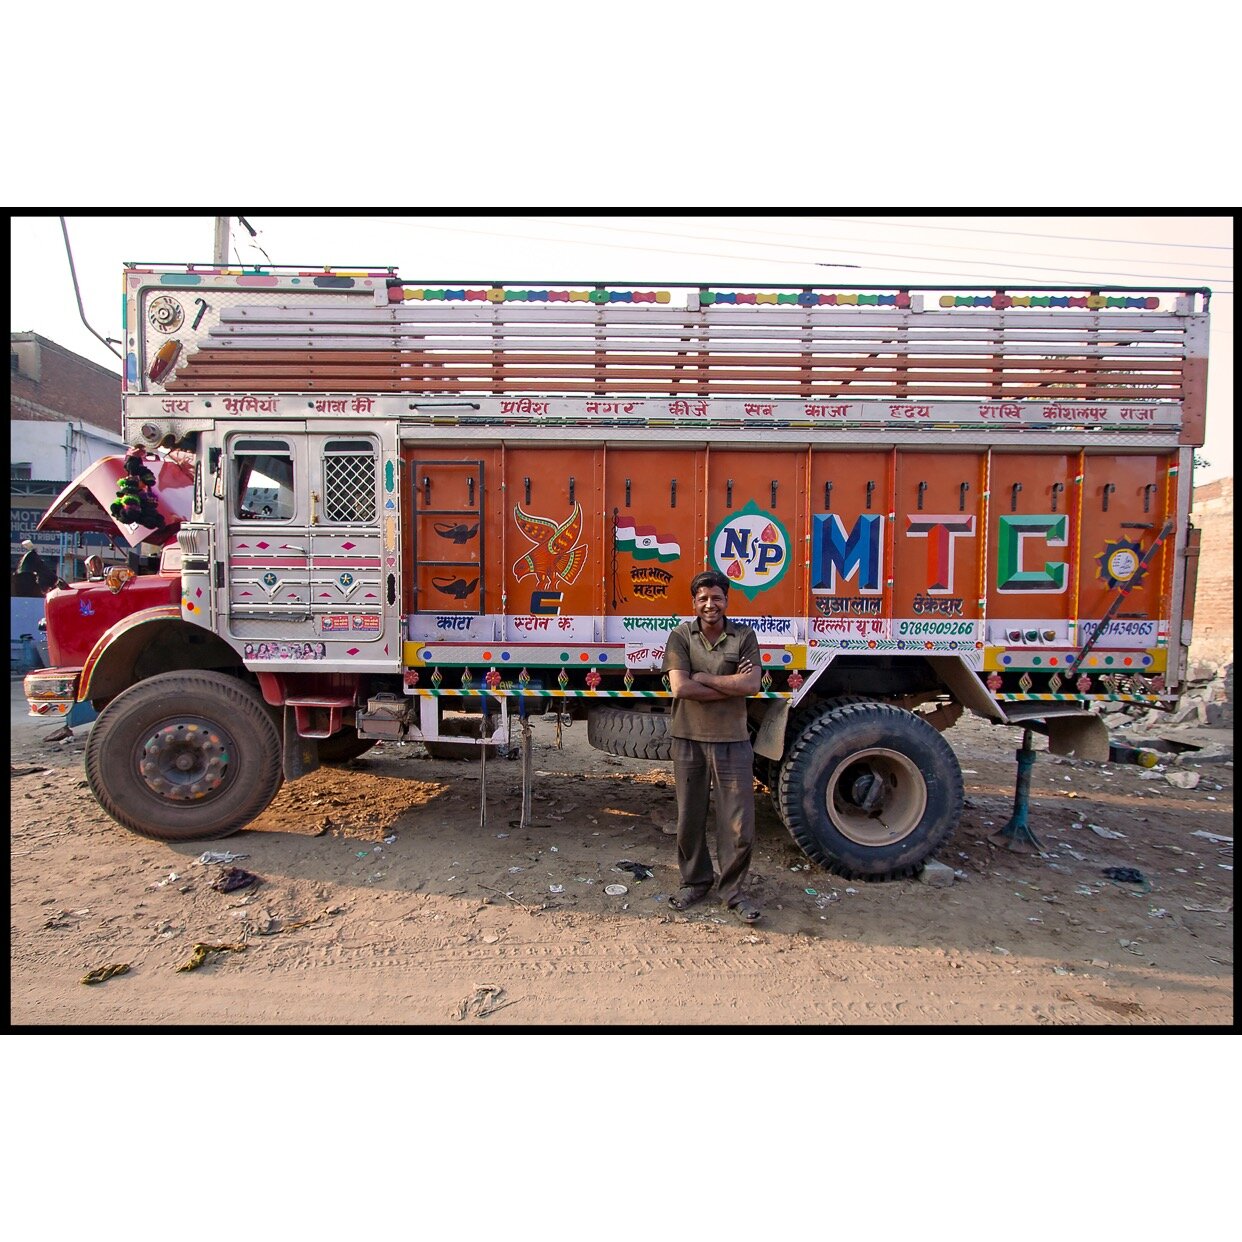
(870, 792)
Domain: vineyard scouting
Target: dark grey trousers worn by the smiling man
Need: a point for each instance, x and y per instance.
(728, 769)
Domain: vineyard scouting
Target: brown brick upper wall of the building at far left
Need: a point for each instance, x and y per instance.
(53, 384)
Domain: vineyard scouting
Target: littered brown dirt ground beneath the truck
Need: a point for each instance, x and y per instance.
(386, 902)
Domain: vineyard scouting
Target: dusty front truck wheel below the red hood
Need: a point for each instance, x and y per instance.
(184, 757)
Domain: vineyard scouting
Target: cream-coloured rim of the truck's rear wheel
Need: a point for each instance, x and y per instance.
(879, 797)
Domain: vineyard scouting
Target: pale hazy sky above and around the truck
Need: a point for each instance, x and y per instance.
(896, 250)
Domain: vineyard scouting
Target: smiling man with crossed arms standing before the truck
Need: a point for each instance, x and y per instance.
(714, 666)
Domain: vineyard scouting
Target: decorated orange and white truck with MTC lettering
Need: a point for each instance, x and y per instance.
(422, 511)
